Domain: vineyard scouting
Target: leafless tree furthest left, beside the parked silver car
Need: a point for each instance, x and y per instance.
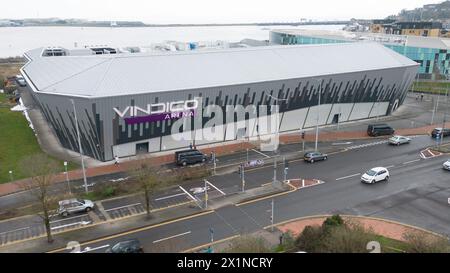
(41, 170)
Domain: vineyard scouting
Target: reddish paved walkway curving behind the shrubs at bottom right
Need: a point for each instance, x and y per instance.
(386, 228)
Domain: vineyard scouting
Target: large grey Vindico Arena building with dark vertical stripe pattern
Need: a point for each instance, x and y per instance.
(128, 103)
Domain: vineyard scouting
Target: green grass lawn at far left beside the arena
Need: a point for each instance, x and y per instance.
(17, 141)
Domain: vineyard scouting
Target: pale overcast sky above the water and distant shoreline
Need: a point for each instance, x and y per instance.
(208, 11)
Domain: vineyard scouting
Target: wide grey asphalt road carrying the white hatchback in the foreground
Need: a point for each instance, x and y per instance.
(342, 191)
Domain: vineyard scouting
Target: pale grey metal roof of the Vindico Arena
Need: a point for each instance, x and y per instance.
(137, 73)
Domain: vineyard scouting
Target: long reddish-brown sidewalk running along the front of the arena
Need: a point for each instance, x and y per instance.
(325, 136)
